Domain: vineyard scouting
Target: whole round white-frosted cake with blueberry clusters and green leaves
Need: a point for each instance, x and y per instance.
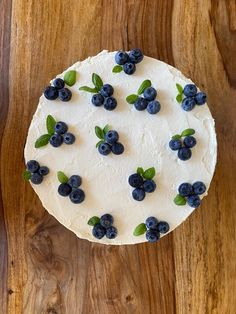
(135, 142)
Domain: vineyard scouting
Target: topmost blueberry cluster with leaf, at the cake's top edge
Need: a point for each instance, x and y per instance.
(127, 61)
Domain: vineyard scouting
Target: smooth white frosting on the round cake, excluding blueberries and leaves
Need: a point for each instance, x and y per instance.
(145, 138)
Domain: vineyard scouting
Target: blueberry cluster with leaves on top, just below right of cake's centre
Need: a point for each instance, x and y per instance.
(142, 182)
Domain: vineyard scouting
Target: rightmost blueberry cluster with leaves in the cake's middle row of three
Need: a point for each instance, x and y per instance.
(183, 146)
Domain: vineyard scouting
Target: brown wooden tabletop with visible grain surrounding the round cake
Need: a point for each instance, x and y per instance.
(44, 268)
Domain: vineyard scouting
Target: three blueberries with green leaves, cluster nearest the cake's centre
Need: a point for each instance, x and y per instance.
(108, 141)
